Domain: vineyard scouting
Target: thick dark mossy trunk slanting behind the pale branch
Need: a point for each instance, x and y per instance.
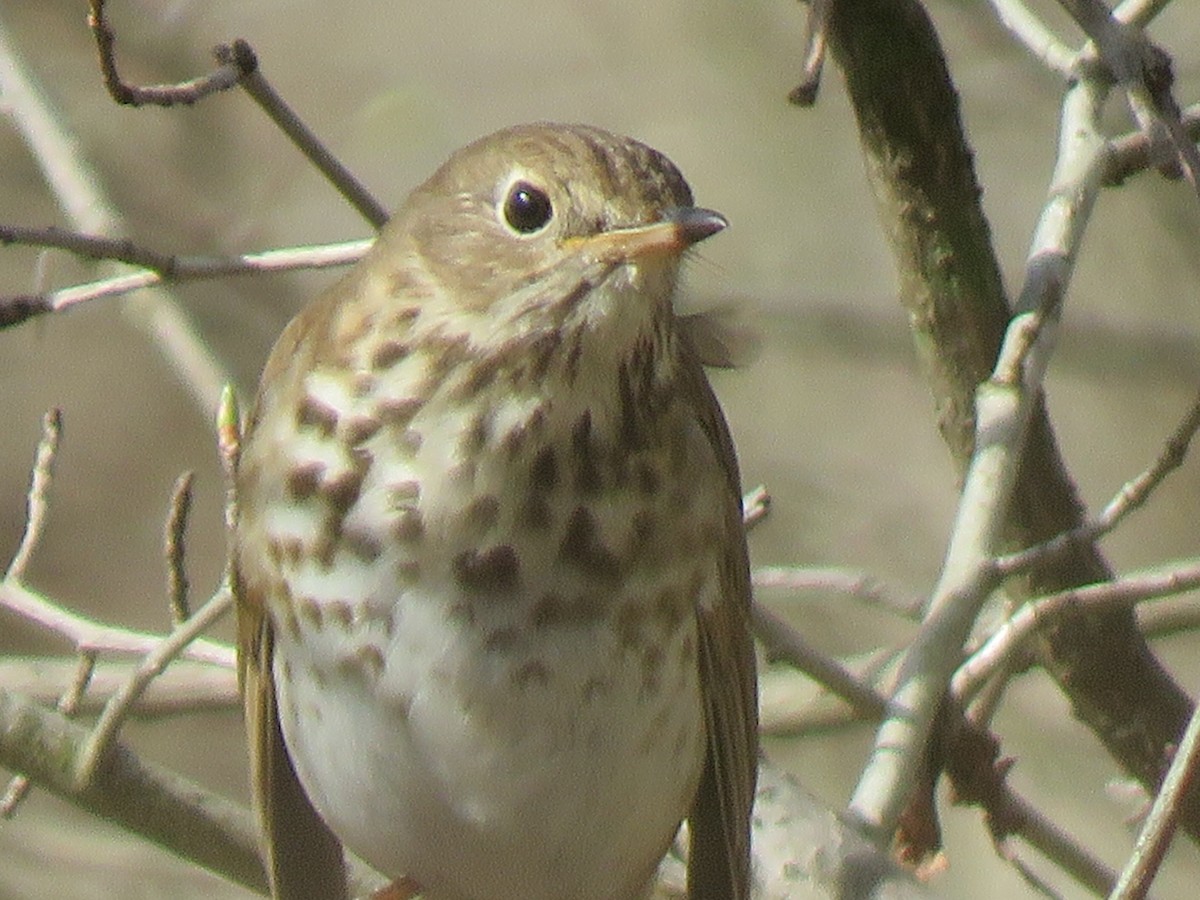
(950, 284)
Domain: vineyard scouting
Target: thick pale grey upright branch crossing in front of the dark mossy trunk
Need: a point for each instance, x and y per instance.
(1004, 409)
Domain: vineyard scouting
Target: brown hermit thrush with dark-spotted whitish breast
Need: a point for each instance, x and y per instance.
(490, 562)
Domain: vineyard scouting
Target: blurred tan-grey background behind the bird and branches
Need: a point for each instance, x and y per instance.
(833, 416)
